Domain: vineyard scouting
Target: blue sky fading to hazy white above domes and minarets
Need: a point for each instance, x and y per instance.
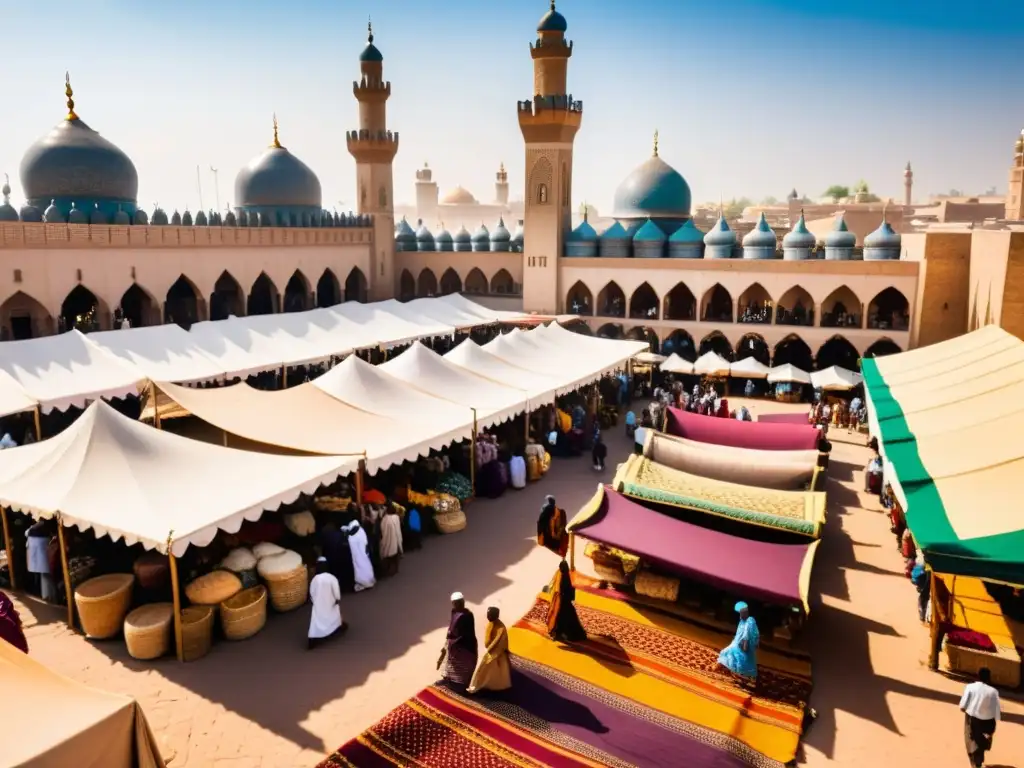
(751, 98)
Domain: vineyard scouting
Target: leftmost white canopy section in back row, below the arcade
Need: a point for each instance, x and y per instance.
(67, 370)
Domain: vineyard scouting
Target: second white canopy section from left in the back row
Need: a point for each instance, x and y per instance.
(161, 353)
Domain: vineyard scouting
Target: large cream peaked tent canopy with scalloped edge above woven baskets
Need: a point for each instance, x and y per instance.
(126, 481)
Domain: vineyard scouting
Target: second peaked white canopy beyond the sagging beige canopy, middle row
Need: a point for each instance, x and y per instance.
(433, 374)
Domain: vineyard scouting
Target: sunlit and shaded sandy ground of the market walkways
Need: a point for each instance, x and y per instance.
(268, 702)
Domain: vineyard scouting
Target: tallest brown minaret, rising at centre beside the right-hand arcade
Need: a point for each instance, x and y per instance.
(549, 123)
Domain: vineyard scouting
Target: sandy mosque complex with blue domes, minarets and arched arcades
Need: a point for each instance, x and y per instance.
(80, 252)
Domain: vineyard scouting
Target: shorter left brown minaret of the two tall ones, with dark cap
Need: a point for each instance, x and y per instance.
(374, 148)
